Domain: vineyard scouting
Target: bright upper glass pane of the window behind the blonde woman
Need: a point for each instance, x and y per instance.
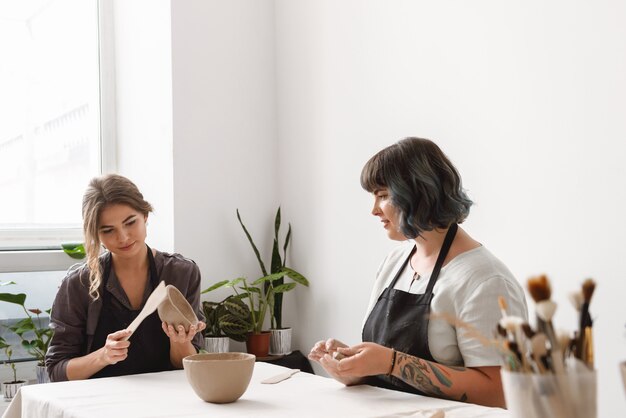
(50, 142)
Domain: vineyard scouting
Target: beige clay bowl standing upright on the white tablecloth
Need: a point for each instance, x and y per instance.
(219, 377)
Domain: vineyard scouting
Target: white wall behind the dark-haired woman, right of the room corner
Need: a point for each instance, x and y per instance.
(527, 98)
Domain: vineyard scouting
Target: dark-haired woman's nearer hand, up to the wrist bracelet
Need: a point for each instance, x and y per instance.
(365, 359)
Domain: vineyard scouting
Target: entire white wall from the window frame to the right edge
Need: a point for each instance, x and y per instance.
(283, 102)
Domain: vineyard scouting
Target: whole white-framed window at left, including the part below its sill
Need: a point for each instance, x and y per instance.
(56, 61)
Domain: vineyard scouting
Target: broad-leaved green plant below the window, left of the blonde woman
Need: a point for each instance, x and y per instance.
(34, 336)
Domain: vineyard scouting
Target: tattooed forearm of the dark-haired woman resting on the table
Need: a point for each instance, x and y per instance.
(427, 376)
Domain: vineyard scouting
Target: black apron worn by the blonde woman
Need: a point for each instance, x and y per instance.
(149, 349)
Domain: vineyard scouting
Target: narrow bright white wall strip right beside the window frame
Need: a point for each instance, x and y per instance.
(143, 80)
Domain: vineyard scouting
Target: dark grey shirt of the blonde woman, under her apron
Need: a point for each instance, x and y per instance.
(75, 315)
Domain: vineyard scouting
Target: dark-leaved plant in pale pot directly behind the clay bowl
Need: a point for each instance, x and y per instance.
(227, 319)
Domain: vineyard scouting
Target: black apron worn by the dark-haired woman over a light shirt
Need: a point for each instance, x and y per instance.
(399, 320)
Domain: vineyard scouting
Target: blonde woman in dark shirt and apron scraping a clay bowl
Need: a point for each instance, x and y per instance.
(96, 303)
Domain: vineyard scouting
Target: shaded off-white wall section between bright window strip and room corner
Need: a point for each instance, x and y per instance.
(225, 145)
